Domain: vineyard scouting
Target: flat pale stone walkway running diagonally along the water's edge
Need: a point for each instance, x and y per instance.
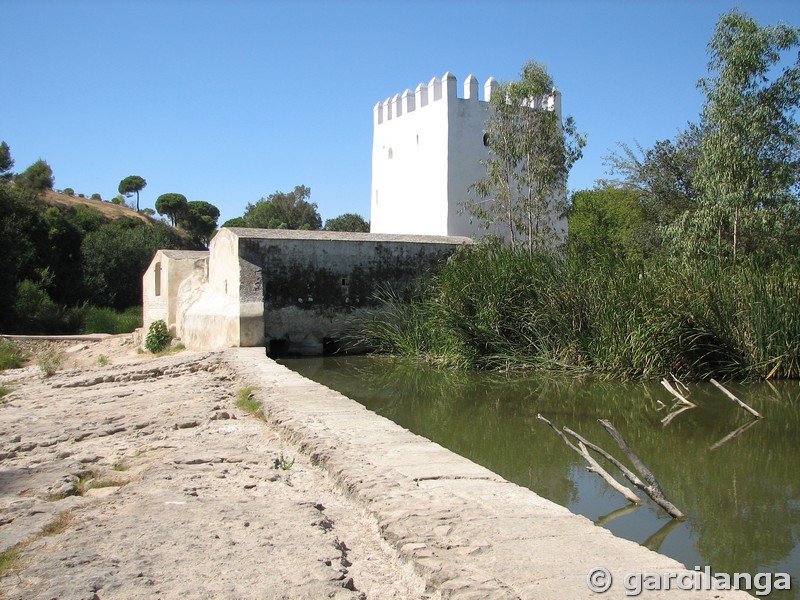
(467, 531)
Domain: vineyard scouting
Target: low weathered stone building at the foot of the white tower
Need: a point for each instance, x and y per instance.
(293, 291)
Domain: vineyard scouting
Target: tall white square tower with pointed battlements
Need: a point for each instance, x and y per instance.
(426, 153)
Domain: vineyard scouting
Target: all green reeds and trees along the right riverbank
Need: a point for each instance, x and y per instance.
(688, 263)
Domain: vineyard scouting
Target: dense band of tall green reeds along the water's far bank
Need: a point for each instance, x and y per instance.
(491, 307)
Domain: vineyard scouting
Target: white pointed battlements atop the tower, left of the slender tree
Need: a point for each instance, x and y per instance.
(436, 90)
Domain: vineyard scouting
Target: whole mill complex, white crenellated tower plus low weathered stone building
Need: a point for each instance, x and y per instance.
(296, 291)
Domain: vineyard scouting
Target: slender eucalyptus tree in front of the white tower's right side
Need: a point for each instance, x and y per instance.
(531, 152)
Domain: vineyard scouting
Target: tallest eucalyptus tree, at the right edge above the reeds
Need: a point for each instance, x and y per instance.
(750, 153)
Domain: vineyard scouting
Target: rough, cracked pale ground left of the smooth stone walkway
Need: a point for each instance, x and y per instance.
(131, 476)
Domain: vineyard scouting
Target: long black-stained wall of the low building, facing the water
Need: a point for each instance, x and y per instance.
(312, 283)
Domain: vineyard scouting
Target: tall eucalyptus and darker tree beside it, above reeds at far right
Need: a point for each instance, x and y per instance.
(729, 184)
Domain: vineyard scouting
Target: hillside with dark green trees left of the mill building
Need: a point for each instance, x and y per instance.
(69, 260)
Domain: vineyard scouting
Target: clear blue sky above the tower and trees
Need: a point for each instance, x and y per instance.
(229, 101)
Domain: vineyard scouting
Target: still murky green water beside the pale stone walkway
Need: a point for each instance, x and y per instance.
(739, 486)
